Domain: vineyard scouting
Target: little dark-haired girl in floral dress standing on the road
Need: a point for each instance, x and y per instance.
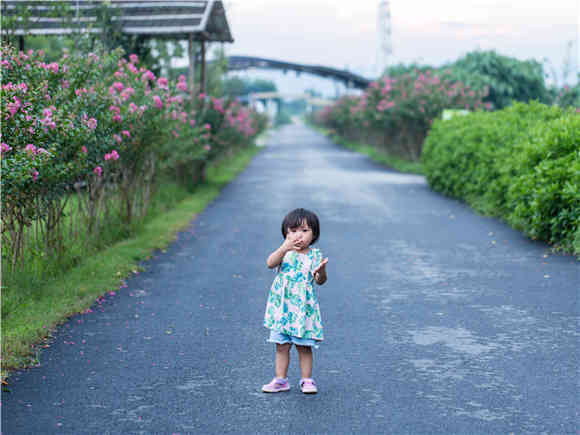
(292, 311)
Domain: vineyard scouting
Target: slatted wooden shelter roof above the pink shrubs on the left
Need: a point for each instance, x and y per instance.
(204, 19)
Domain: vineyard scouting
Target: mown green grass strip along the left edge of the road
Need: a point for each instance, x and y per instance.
(47, 305)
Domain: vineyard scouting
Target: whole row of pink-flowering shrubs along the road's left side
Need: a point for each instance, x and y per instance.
(95, 120)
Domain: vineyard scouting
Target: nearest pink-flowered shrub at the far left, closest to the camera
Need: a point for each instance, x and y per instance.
(41, 131)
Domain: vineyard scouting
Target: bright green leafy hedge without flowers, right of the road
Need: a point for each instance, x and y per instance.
(521, 164)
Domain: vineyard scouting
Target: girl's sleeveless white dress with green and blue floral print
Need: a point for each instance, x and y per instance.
(292, 306)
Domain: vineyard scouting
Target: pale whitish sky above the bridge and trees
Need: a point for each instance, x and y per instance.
(343, 34)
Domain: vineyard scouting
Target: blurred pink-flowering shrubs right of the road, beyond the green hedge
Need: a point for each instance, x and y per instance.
(396, 113)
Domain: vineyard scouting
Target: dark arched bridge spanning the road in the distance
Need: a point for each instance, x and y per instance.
(351, 80)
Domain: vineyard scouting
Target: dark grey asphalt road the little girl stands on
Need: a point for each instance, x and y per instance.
(437, 320)
